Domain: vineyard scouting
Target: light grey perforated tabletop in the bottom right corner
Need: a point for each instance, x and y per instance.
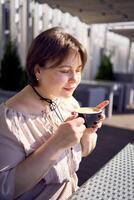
(115, 181)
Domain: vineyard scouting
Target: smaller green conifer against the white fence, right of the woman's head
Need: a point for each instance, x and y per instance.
(105, 71)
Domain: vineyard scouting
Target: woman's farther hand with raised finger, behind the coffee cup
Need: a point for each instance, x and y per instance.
(89, 138)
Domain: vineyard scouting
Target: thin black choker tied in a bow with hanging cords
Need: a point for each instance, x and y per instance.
(52, 104)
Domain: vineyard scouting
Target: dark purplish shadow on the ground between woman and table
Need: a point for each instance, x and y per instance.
(110, 141)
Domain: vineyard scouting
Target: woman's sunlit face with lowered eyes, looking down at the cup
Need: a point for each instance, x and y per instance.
(62, 80)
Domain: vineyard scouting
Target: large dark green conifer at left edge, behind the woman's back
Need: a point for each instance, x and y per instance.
(12, 76)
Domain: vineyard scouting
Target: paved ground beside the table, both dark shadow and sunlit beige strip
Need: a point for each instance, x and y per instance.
(116, 132)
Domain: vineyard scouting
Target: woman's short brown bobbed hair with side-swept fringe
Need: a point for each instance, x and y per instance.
(52, 44)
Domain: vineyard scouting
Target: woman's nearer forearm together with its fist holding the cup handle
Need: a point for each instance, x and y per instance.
(30, 171)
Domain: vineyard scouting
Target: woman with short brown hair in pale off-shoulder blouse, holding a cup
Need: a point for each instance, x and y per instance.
(42, 140)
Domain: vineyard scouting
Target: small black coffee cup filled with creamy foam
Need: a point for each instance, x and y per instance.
(90, 115)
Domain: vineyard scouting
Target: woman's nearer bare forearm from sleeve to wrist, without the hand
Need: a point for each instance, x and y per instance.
(30, 171)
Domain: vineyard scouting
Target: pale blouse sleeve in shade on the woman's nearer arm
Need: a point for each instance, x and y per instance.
(11, 153)
